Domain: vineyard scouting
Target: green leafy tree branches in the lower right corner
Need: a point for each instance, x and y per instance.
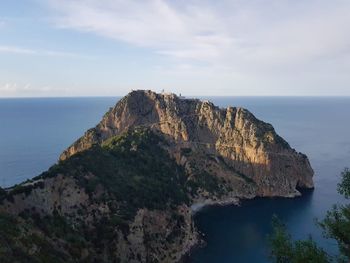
(335, 225)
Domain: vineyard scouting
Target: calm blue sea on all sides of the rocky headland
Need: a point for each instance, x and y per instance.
(34, 131)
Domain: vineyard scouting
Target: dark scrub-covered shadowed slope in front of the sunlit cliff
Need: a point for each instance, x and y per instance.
(123, 201)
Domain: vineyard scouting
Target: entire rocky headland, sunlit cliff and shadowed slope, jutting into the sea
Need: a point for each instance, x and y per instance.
(126, 191)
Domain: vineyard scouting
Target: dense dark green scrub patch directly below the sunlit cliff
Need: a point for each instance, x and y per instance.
(133, 167)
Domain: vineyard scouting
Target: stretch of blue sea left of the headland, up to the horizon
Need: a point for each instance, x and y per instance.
(33, 132)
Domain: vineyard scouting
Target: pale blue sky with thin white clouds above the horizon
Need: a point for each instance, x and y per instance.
(51, 48)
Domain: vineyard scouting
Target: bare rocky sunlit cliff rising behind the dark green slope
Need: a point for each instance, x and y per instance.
(247, 145)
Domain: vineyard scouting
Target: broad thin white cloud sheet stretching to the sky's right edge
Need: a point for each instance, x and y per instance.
(233, 33)
